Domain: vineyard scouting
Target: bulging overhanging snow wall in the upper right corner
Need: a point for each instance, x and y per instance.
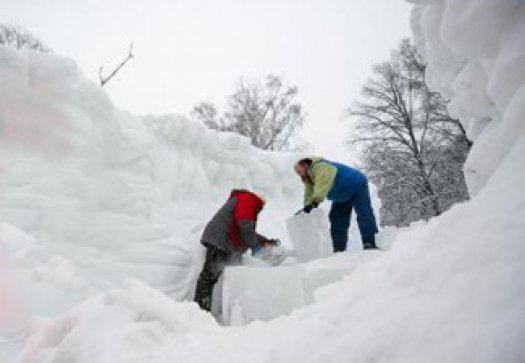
(476, 57)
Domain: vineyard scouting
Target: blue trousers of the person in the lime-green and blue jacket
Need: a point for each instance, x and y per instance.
(341, 213)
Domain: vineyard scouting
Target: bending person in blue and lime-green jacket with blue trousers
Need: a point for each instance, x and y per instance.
(347, 188)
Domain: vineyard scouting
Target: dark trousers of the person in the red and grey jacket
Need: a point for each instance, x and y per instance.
(214, 264)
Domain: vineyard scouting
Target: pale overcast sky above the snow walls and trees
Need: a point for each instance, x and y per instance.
(192, 50)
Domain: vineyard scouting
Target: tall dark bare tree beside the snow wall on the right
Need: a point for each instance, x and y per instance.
(411, 148)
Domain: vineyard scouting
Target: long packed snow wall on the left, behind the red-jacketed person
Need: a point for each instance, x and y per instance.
(116, 195)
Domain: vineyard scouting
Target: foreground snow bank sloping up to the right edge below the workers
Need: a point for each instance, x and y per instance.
(451, 291)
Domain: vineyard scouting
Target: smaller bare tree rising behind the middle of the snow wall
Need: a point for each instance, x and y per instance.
(267, 114)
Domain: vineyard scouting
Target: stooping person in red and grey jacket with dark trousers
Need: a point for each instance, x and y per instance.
(229, 234)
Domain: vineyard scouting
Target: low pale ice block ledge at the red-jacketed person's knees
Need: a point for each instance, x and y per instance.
(262, 292)
